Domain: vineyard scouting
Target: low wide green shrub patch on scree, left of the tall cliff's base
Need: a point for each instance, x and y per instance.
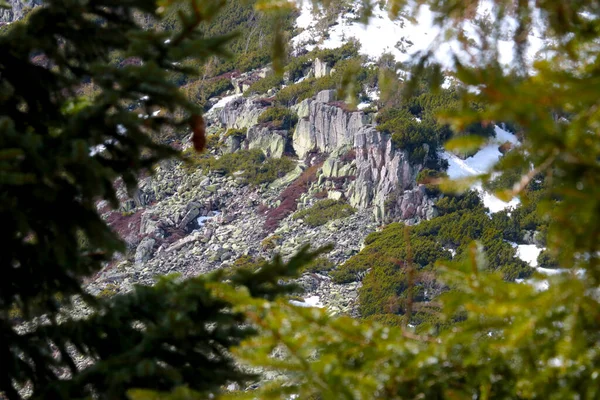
(257, 167)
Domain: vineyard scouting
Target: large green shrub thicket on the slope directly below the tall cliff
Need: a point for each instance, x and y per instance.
(463, 219)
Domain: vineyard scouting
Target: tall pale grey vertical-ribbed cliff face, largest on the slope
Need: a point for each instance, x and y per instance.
(383, 177)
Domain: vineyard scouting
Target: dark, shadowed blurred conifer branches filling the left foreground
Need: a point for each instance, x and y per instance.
(59, 155)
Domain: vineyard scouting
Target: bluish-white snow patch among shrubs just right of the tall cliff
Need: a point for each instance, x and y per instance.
(480, 163)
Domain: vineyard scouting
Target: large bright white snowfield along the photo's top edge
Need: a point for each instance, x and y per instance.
(401, 37)
